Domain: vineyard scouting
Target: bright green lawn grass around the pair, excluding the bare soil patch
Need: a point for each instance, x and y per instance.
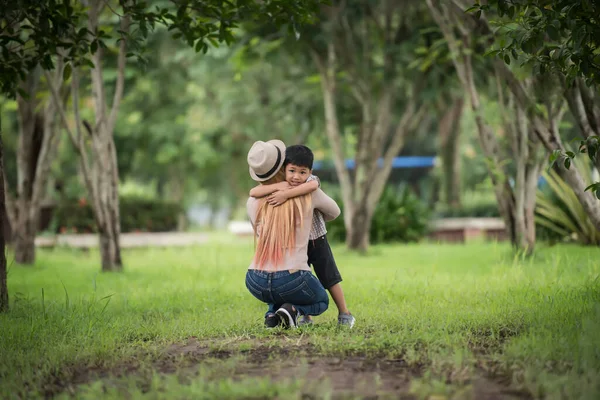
(441, 307)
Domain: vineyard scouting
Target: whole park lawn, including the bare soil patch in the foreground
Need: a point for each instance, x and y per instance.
(433, 321)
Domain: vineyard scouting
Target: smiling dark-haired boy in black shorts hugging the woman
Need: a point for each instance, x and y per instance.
(300, 180)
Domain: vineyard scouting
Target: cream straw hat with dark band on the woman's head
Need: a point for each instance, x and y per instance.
(265, 159)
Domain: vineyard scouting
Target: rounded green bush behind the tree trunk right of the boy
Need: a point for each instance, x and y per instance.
(400, 216)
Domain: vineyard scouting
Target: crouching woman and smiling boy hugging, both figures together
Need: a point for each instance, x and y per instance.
(288, 211)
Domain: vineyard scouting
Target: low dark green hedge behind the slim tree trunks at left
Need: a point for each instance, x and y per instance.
(137, 214)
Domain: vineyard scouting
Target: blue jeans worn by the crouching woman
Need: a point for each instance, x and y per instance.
(301, 289)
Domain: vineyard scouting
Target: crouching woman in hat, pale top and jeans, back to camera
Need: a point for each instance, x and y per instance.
(279, 274)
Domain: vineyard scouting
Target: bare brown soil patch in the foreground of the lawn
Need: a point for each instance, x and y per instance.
(342, 376)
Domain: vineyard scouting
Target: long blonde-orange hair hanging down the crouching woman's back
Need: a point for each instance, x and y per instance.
(277, 225)
